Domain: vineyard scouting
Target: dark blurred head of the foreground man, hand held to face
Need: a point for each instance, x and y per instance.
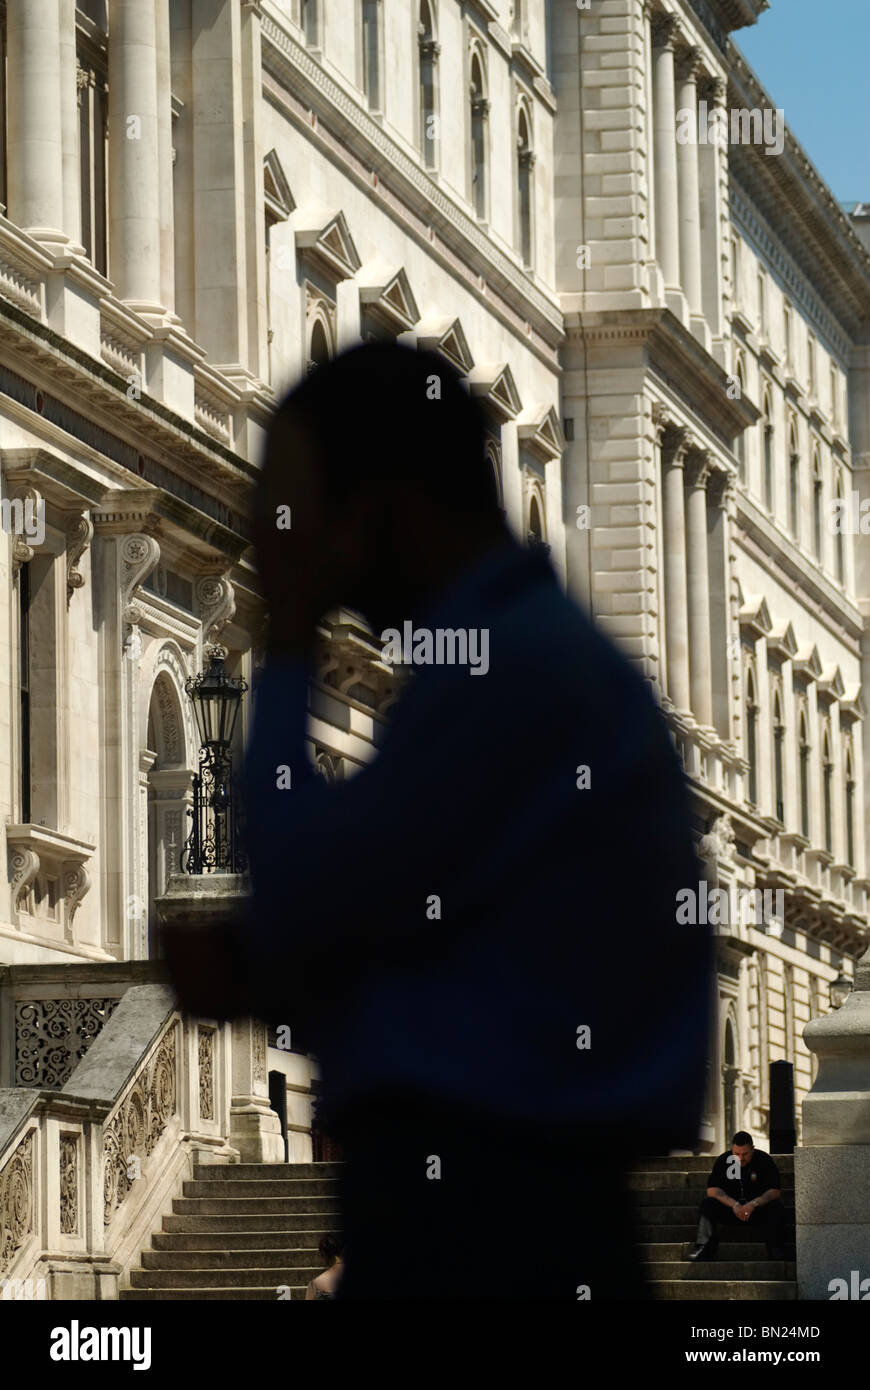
(380, 457)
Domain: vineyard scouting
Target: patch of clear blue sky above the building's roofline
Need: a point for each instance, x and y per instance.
(812, 58)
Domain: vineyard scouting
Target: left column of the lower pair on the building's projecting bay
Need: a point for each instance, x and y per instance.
(675, 445)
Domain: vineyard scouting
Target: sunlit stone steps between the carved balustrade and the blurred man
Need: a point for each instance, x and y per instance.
(241, 1231)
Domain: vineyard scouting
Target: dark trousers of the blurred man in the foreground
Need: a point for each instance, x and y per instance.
(440, 1203)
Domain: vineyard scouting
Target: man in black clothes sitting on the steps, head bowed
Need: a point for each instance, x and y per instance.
(744, 1186)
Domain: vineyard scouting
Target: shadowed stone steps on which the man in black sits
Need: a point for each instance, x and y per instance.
(668, 1193)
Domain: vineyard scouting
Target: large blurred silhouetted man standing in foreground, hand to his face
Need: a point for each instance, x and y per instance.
(477, 932)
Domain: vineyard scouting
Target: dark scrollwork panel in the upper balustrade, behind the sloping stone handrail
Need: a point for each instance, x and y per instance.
(54, 1035)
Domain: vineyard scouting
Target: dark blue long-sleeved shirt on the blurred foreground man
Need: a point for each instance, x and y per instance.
(458, 914)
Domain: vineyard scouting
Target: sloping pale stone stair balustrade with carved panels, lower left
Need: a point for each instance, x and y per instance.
(88, 1171)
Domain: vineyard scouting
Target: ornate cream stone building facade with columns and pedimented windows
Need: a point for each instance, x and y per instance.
(205, 198)
